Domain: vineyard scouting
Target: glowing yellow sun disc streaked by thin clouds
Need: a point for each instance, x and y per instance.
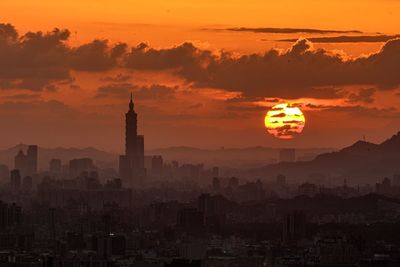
(285, 121)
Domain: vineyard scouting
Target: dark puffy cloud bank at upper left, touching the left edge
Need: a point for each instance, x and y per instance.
(36, 59)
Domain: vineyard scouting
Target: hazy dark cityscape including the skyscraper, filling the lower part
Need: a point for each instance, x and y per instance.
(77, 214)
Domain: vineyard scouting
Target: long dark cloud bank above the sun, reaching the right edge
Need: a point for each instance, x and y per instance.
(301, 71)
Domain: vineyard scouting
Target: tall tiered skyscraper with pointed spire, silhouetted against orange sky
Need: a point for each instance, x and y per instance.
(131, 165)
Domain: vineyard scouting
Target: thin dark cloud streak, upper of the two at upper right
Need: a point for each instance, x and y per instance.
(289, 30)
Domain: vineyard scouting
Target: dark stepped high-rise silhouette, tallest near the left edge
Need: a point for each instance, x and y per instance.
(27, 163)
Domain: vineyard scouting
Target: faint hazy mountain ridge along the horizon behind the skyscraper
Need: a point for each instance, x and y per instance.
(250, 157)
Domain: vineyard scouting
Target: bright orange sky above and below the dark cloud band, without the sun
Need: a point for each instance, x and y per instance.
(195, 112)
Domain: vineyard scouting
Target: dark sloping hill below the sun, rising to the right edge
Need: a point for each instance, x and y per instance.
(362, 162)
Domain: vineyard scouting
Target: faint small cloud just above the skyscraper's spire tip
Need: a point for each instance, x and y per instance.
(123, 90)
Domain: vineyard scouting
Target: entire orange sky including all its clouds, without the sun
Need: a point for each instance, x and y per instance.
(200, 82)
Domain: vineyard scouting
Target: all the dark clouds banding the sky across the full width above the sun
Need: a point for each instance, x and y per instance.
(38, 60)
